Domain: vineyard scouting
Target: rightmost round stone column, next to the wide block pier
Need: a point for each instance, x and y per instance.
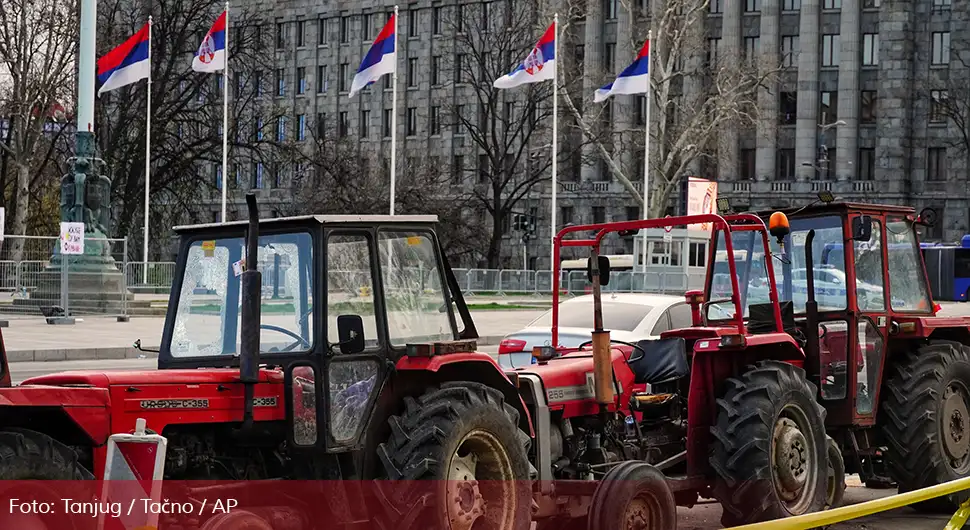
(847, 136)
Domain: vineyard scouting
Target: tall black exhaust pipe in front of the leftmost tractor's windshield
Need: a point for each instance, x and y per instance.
(251, 301)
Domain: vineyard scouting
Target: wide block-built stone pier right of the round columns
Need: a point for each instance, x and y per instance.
(894, 115)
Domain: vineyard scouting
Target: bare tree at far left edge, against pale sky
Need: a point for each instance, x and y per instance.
(37, 51)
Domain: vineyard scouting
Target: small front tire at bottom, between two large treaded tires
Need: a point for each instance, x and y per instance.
(633, 496)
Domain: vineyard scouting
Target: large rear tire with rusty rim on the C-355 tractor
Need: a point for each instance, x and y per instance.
(465, 438)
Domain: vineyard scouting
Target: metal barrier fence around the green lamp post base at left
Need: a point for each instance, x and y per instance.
(31, 283)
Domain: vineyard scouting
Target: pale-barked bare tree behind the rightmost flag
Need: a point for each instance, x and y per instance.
(695, 96)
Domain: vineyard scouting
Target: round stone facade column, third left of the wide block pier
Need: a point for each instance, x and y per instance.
(766, 166)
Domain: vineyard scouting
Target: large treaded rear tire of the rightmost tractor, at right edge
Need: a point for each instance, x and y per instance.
(926, 421)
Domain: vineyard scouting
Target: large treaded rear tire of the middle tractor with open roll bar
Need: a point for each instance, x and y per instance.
(771, 406)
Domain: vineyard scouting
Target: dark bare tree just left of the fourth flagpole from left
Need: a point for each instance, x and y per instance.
(510, 130)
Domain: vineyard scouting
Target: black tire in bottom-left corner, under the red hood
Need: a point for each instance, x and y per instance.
(30, 455)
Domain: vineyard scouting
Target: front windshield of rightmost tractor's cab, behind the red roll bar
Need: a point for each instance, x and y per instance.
(828, 261)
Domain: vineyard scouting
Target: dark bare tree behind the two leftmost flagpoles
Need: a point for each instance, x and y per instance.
(186, 110)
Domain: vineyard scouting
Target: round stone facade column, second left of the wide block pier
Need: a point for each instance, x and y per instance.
(806, 121)
